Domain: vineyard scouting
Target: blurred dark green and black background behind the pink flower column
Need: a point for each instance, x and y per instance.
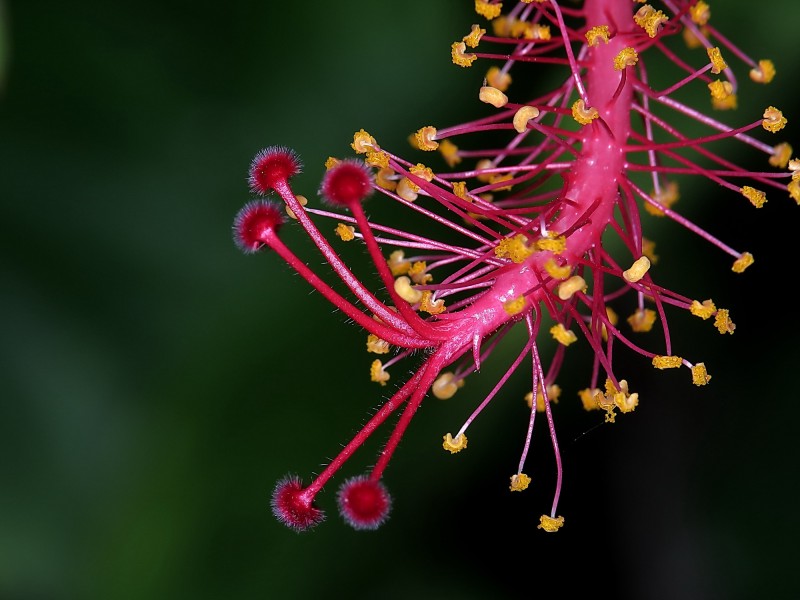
(155, 383)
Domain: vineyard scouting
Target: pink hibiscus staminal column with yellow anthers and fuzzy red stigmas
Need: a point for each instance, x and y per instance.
(540, 228)
